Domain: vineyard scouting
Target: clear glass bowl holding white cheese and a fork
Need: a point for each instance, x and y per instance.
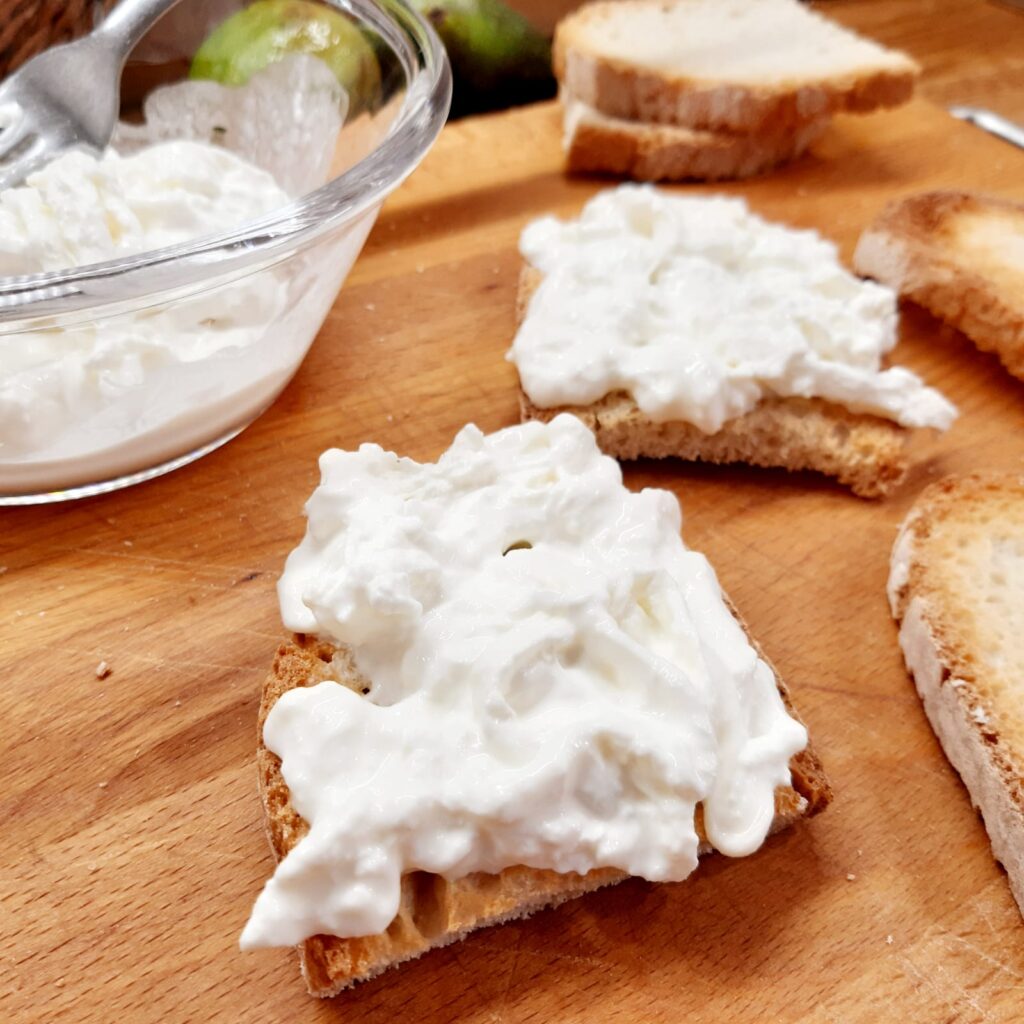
(74, 424)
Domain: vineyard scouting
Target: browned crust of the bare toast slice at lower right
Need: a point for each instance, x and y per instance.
(949, 663)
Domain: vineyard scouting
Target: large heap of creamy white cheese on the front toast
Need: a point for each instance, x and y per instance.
(556, 681)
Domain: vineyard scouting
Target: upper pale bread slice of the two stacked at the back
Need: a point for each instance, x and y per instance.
(724, 65)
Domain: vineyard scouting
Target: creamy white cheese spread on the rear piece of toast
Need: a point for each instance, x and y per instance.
(699, 309)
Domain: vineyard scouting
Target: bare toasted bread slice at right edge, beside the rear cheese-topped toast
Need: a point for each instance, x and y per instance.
(962, 258)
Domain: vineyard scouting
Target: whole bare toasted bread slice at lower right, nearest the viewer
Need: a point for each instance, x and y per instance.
(957, 588)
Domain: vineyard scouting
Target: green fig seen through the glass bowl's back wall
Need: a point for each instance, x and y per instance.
(270, 30)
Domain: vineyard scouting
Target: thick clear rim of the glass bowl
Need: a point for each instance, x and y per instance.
(199, 264)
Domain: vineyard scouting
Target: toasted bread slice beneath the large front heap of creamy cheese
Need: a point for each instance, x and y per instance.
(435, 912)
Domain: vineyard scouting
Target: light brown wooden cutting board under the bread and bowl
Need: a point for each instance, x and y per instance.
(133, 835)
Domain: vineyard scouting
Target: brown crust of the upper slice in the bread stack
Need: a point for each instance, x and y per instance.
(623, 90)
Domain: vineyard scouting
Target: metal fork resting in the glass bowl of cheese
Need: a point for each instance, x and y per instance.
(69, 97)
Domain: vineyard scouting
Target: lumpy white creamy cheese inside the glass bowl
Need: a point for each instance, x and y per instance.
(81, 210)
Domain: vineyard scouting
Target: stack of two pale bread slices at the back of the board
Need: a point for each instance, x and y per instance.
(711, 90)
